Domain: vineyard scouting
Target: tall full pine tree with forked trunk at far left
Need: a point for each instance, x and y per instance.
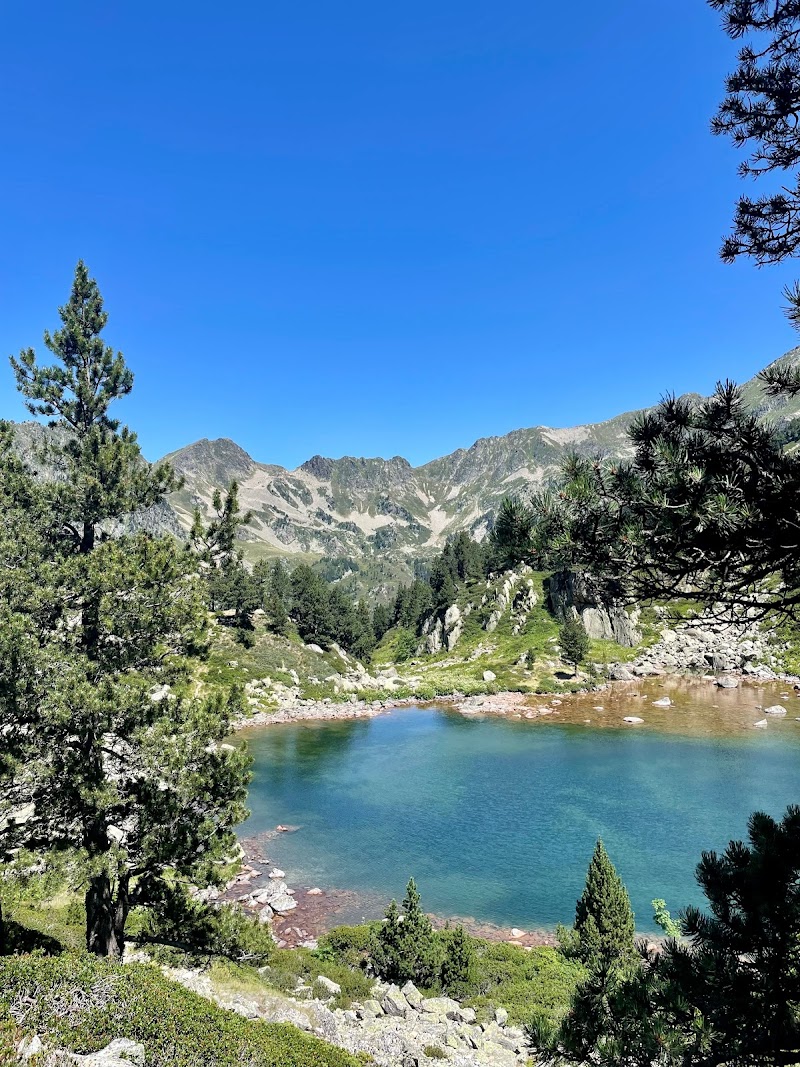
(134, 781)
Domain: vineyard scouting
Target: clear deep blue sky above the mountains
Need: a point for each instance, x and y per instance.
(375, 229)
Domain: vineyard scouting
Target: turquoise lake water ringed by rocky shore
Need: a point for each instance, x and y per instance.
(497, 820)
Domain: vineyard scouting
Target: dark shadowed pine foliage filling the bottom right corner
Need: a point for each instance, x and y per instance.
(728, 997)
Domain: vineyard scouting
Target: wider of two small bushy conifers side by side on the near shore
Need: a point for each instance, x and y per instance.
(406, 947)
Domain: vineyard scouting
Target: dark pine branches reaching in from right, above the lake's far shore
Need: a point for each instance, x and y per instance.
(710, 502)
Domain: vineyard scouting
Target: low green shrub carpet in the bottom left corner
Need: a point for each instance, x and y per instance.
(83, 1005)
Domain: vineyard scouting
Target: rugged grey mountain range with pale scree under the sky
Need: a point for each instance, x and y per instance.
(377, 515)
